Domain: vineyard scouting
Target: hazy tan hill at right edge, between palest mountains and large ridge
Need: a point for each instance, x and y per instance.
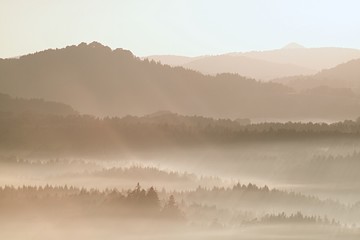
(346, 76)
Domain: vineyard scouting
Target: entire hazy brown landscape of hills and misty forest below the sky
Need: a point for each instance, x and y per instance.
(96, 143)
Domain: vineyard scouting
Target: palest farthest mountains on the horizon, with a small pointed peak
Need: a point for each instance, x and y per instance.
(293, 59)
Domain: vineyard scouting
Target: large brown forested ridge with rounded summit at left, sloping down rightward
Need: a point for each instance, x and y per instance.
(96, 80)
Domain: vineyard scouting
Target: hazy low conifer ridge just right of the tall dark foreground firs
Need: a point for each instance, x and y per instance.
(251, 197)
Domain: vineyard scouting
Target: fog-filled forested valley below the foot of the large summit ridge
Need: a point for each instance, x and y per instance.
(167, 176)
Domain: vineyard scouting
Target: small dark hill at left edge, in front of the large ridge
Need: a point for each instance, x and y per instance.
(37, 106)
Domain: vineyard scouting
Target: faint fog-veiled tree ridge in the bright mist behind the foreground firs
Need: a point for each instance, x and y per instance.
(86, 168)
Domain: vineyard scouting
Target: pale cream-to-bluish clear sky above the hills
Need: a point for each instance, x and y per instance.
(182, 27)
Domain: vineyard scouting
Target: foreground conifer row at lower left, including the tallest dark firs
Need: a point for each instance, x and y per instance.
(136, 202)
